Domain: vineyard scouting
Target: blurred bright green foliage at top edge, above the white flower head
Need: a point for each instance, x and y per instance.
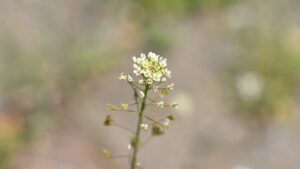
(157, 18)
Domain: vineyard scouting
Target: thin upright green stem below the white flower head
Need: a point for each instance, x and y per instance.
(136, 138)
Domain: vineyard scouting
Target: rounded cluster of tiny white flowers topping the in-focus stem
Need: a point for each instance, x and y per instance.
(151, 67)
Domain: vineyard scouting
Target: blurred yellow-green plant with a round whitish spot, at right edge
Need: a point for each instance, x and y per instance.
(265, 82)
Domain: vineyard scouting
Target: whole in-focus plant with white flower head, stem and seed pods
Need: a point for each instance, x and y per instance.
(152, 73)
